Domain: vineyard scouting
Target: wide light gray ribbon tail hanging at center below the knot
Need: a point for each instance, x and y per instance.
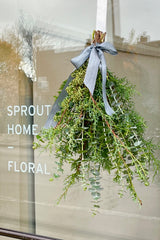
(92, 70)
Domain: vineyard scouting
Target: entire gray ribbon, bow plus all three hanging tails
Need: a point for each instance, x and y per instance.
(96, 60)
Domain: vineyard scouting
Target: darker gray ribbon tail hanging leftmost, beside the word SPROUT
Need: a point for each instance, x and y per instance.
(56, 106)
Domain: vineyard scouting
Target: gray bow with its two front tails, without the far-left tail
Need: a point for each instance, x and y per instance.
(96, 60)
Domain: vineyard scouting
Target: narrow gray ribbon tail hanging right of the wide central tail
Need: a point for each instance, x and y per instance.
(108, 109)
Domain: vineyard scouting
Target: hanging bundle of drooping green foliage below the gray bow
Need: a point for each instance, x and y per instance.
(90, 141)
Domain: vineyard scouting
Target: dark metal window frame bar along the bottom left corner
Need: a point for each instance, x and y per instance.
(23, 235)
